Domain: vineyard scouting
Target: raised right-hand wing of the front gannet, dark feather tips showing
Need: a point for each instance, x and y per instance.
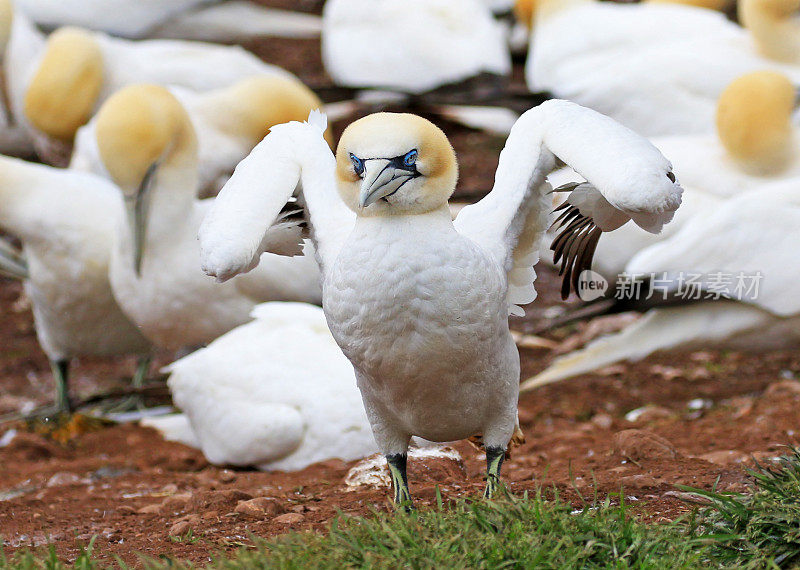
(628, 178)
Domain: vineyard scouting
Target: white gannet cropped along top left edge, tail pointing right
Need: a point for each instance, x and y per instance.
(183, 19)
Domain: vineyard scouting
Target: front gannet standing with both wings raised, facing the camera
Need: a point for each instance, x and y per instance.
(418, 302)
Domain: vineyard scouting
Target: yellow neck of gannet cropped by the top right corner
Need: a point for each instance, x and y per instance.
(775, 29)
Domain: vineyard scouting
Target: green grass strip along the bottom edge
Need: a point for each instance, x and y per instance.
(759, 530)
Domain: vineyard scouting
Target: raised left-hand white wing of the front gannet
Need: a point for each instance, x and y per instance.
(237, 229)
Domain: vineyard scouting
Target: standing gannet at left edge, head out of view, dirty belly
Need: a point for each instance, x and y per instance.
(65, 221)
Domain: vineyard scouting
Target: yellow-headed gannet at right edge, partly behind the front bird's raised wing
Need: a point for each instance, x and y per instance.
(756, 143)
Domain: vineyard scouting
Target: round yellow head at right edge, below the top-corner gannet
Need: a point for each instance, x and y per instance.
(754, 120)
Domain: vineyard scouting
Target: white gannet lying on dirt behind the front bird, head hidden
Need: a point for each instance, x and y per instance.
(290, 400)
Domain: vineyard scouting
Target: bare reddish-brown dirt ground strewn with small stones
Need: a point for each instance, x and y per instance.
(710, 413)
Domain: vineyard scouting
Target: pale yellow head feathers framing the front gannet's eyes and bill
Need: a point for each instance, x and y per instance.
(395, 134)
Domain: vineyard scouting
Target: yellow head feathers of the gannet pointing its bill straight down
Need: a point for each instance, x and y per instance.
(139, 126)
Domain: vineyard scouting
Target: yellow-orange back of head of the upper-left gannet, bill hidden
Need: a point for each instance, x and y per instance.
(63, 93)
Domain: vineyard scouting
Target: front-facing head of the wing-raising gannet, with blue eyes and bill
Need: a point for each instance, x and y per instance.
(390, 163)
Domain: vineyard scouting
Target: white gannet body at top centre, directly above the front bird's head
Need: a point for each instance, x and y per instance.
(411, 45)
